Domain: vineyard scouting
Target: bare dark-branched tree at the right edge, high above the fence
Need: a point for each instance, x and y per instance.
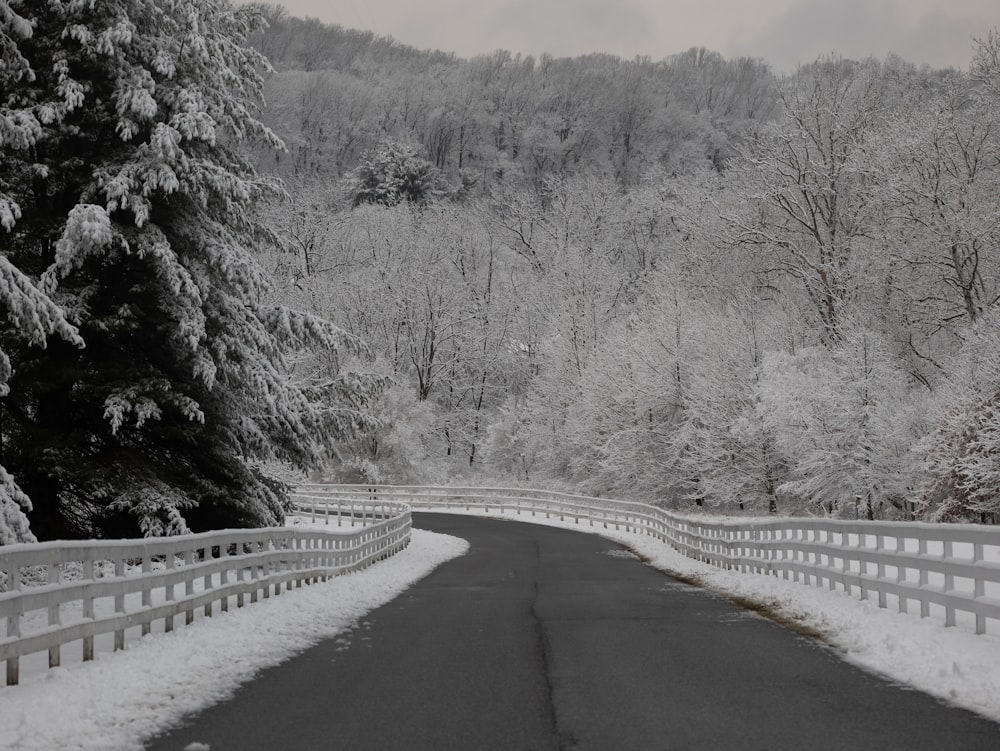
(942, 164)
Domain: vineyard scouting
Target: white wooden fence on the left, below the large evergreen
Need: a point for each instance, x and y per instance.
(68, 591)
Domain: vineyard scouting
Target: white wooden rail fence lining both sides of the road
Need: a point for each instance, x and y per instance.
(62, 592)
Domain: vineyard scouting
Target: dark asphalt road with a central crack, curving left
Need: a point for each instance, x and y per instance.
(542, 638)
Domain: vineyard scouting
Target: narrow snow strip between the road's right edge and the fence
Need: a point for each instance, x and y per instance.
(952, 664)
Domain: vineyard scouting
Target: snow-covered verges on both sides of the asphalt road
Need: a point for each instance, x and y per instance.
(118, 700)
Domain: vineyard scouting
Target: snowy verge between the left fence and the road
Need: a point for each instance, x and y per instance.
(117, 701)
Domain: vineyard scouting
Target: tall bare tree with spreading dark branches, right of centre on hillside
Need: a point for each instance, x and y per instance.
(805, 177)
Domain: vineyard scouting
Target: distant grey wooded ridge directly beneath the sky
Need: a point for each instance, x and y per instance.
(338, 92)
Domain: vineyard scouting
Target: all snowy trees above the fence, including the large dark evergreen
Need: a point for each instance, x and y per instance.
(689, 281)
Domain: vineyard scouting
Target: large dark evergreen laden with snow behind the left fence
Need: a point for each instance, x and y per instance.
(137, 217)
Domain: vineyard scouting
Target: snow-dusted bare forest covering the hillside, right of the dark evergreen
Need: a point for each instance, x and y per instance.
(689, 281)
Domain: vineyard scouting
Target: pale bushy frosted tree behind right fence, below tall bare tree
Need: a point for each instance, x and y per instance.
(844, 418)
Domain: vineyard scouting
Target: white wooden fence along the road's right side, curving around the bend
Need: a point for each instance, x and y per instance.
(943, 569)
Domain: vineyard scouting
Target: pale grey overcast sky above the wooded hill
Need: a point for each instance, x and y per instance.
(783, 32)
